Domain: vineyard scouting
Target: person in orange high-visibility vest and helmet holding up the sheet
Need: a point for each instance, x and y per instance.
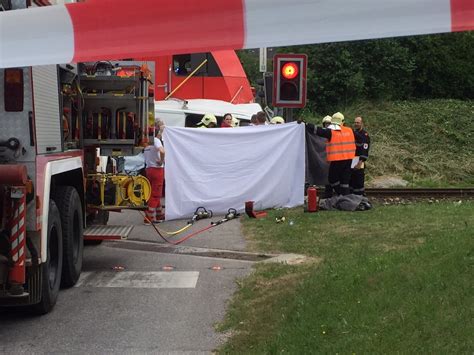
(340, 150)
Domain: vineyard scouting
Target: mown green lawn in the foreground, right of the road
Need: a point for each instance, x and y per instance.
(393, 279)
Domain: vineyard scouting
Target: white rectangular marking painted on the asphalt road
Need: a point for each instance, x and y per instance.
(139, 279)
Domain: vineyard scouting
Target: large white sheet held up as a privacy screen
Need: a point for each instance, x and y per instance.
(222, 168)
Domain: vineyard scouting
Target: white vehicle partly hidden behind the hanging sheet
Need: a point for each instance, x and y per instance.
(187, 113)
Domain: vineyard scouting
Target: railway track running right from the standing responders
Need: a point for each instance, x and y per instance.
(421, 192)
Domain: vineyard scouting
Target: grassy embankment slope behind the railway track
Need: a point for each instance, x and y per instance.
(426, 142)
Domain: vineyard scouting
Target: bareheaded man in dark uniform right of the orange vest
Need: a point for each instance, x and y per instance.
(362, 141)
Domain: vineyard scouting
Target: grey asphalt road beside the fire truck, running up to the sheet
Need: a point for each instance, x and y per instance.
(125, 301)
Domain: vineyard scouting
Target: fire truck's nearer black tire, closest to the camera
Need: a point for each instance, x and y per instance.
(51, 269)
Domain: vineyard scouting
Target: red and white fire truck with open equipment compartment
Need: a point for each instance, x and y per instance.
(55, 120)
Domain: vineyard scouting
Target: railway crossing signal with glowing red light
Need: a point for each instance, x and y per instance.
(289, 80)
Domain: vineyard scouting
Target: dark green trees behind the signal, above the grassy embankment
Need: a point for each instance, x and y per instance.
(434, 66)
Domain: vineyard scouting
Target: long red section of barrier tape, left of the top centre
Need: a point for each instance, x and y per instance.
(129, 30)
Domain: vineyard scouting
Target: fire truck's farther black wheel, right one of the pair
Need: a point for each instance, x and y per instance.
(70, 210)
